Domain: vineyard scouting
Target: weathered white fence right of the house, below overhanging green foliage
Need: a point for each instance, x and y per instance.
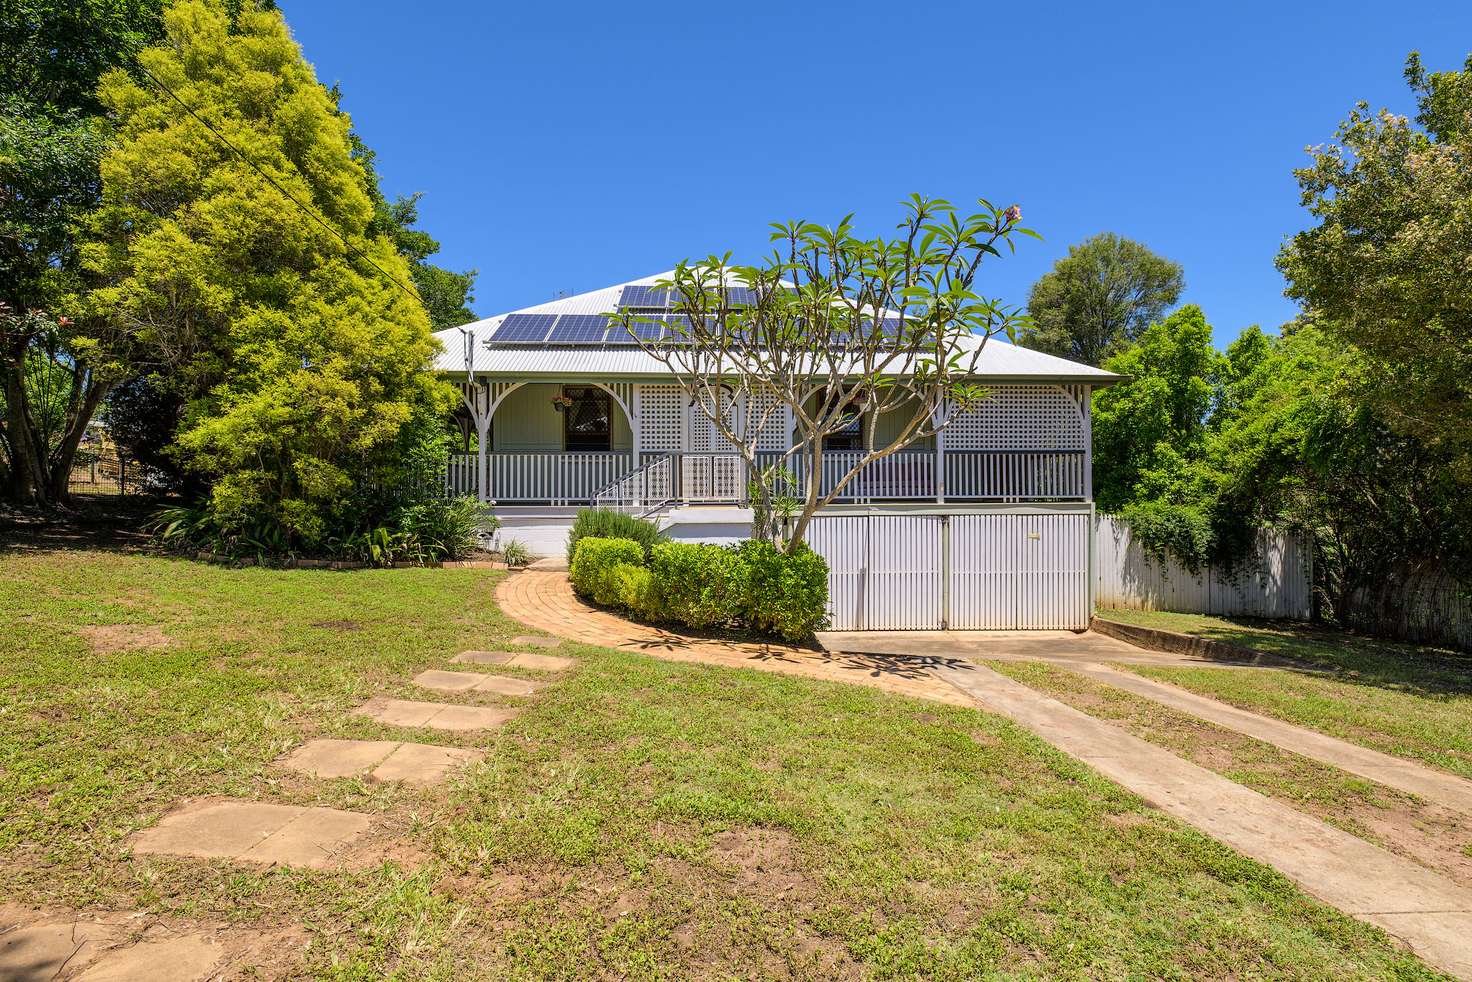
(1277, 581)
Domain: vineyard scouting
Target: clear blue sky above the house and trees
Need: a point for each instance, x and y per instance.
(567, 146)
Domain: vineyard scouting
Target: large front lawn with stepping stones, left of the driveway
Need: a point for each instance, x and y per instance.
(640, 818)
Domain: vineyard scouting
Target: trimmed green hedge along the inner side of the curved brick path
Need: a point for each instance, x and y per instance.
(704, 587)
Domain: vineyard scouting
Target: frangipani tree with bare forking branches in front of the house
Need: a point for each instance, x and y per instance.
(832, 329)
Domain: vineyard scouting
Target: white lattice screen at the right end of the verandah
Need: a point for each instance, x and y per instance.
(1019, 419)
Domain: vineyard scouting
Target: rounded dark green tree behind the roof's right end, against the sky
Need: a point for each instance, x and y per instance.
(1099, 298)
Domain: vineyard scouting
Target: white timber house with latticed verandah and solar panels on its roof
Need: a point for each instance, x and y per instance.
(984, 526)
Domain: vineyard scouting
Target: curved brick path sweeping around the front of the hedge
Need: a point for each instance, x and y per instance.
(545, 601)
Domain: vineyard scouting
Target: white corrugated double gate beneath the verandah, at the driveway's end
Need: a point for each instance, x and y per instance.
(959, 572)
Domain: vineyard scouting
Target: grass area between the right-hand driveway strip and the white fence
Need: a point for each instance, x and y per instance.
(1406, 700)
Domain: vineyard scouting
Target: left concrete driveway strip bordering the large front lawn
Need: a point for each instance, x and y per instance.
(1426, 911)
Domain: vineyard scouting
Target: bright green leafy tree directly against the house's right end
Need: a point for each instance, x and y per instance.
(1147, 428)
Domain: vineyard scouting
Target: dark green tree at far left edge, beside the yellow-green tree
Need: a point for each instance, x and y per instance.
(55, 364)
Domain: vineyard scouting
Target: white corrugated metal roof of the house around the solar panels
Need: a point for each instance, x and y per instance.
(999, 360)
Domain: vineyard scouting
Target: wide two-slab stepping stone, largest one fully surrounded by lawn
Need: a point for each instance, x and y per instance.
(254, 833)
